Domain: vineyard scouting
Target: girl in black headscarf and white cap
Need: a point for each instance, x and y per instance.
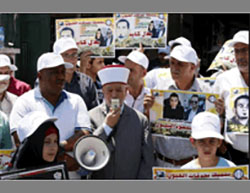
(39, 139)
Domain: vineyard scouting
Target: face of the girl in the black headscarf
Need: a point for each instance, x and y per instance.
(50, 147)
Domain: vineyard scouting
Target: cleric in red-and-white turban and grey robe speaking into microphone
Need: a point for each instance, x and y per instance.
(124, 129)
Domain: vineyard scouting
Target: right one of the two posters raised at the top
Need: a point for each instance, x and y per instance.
(150, 29)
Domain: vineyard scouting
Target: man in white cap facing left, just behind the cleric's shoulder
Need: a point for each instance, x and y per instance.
(137, 62)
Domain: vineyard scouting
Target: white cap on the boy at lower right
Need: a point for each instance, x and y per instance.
(206, 124)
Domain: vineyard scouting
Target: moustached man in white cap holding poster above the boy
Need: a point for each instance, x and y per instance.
(176, 151)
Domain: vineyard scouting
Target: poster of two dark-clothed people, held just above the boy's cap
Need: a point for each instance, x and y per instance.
(173, 111)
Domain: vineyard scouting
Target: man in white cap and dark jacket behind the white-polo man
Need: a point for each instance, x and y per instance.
(76, 82)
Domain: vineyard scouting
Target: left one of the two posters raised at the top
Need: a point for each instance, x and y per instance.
(94, 34)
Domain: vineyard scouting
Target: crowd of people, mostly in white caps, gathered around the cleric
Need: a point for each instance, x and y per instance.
(44, 123)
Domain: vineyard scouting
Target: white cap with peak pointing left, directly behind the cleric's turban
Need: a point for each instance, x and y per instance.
(136, 57)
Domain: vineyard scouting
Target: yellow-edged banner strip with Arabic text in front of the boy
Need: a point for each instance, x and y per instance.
(218, 173)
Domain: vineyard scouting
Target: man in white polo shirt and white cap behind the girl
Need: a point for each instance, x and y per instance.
(49, 97)
